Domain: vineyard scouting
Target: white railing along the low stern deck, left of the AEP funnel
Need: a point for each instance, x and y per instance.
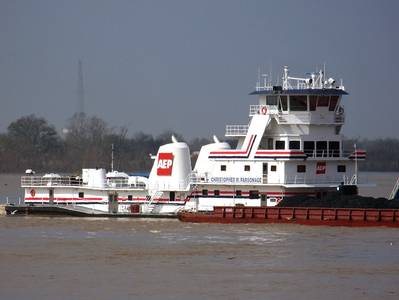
(30, 181)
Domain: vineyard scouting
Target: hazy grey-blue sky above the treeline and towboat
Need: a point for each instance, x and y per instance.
(188, 66)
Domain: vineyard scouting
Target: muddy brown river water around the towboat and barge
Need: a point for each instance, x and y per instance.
(76, 258)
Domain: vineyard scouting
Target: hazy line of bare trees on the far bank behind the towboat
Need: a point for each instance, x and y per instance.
(32, 143)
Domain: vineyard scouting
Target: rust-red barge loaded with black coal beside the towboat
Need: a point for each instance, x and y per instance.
(353, 210)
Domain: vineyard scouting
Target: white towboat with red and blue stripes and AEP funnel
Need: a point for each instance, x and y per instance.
(292, 145)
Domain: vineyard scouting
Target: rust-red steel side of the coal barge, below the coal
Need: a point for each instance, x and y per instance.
(297, 215)
